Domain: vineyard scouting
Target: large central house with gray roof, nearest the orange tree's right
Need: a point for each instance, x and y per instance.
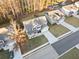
(35, 27)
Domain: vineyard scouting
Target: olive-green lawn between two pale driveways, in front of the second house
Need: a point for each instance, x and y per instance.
(57, 30)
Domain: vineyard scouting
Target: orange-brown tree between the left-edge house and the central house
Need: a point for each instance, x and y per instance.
(18, 34)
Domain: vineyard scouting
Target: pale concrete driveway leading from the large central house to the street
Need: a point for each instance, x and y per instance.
(51, 38)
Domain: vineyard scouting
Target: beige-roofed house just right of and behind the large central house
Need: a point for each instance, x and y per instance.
(55, 16)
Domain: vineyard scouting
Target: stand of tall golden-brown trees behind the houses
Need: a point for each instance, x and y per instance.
(21, 7)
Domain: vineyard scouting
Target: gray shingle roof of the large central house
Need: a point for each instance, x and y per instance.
(35, 25)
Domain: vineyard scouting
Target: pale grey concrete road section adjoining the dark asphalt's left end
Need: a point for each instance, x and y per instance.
(46, 52)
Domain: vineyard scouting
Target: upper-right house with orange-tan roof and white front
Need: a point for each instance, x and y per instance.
(69, 10)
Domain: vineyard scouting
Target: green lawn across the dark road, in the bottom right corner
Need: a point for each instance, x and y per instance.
(73, 54)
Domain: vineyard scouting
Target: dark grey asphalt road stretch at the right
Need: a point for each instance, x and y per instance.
(66, 43)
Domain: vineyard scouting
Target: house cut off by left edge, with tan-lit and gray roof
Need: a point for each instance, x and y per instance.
(5, 42)
